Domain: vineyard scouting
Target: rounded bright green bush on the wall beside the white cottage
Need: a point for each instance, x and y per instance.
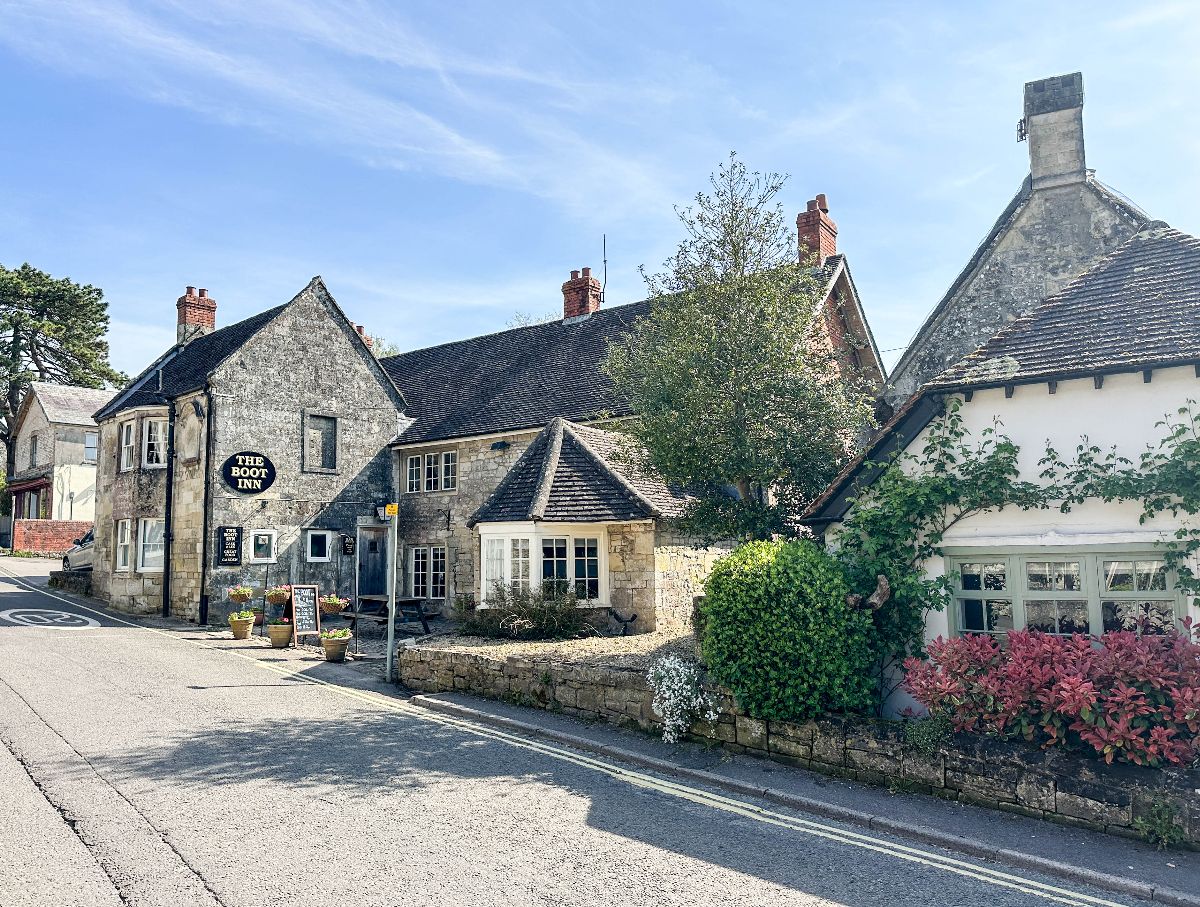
(781, 636)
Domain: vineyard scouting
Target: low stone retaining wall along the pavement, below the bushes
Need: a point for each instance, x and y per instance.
(1003, 776)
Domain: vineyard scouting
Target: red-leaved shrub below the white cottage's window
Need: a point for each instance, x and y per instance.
(1127, 698)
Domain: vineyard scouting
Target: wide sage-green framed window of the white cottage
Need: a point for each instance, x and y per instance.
(1063, 593)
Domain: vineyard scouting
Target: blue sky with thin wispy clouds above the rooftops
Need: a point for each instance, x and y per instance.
(443, 166)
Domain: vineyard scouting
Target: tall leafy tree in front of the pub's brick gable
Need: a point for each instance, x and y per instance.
(733, 392)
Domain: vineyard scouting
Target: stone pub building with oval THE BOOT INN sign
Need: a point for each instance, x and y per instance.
(263, 453)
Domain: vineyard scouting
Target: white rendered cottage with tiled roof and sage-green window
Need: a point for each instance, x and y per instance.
(1108, 359)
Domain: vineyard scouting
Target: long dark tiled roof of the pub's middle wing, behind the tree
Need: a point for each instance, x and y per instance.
(521, 379)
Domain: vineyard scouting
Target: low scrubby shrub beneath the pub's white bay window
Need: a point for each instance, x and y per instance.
(526, 615)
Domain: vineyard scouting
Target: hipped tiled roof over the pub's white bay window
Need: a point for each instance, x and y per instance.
(578, 474)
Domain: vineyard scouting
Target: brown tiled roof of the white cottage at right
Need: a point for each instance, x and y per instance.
(1137, 309)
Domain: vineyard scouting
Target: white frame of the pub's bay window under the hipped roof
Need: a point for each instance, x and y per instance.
(536, 533)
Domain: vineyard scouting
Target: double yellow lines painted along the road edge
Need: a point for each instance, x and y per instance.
(968, 869)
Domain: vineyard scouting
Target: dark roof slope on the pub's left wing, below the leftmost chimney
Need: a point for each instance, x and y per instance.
(187, 369)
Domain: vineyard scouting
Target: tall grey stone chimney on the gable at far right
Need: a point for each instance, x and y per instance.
(1054, 125)
